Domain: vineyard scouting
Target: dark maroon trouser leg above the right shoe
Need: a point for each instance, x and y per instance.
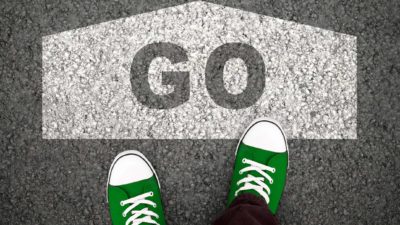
(247, 209)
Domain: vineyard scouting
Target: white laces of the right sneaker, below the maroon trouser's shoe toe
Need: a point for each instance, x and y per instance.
(260, 186)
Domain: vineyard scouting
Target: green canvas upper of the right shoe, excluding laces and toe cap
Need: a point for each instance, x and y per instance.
(278, 161)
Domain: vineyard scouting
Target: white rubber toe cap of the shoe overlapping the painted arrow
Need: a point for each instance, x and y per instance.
(267, 135)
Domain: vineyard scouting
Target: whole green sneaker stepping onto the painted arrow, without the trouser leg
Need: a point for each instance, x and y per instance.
(261, 163)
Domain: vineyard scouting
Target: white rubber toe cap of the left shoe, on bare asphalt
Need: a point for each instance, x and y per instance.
(129, 167)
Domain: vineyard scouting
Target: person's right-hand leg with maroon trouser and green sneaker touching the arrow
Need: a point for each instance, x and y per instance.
(259, 176)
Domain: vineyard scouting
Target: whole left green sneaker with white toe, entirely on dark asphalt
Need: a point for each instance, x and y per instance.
(133, 191)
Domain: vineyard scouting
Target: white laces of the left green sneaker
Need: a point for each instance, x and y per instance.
(134, 202)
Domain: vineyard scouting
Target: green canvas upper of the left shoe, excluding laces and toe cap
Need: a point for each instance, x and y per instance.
(116, 194)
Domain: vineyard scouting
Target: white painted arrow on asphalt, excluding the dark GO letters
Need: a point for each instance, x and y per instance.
(310, 77)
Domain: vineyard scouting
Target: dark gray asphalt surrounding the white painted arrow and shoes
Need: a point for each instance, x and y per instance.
(329, 181)
